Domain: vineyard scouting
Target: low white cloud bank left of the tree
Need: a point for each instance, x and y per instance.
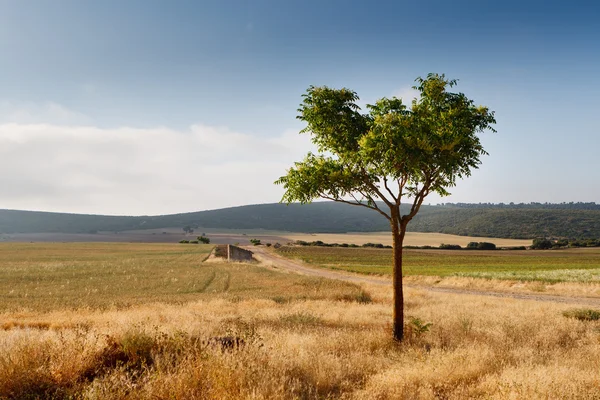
(140, 171)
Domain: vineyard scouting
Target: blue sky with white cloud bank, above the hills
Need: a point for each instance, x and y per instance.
(148, 107)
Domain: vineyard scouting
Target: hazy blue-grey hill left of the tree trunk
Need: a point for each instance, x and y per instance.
(315, 217)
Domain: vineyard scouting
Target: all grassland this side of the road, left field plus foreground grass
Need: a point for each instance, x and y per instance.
(297, 337)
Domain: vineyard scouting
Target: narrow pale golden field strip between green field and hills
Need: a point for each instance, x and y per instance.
(411, 239)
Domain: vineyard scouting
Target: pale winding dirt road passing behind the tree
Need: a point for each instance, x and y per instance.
(280, 263)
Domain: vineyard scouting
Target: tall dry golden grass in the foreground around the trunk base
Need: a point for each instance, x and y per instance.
(476, 348)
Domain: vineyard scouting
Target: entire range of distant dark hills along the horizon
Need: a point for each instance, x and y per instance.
(568, 220)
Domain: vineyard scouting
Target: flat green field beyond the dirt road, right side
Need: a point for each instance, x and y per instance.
(573, 265)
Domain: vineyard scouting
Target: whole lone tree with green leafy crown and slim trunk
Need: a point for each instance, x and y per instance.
(391, 154)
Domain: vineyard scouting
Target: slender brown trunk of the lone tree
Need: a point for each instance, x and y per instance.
(398, 315)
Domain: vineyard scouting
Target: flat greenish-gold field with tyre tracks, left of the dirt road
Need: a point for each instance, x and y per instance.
(57, 276)
